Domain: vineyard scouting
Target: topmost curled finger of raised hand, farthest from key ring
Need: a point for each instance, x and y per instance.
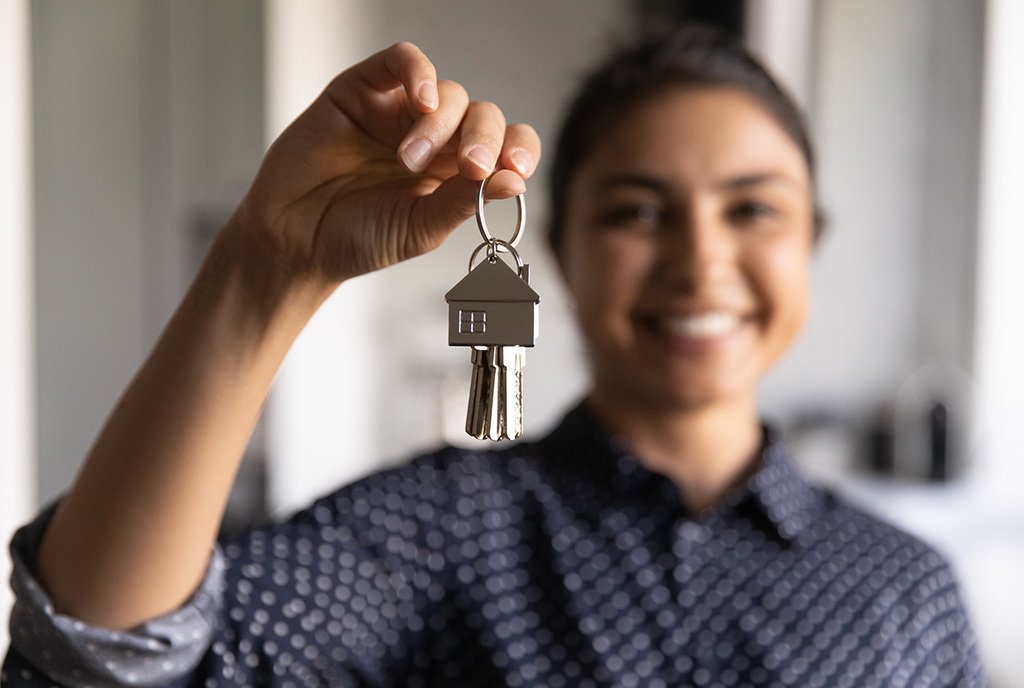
(403, 65)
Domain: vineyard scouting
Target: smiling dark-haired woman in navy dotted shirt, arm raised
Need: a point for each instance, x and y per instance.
(658, 537)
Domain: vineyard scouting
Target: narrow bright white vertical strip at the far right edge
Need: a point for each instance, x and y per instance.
(1000, 343)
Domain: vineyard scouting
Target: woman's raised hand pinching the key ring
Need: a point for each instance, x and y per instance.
(381, 168)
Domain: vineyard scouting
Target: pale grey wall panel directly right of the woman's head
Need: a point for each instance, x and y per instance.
(869, 103)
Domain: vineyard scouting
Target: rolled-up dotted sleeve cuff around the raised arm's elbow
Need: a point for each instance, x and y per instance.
(49, 648)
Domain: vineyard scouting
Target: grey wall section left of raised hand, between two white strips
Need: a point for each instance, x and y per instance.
(148, 125)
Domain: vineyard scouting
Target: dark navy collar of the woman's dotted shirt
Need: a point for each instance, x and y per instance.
(785, 500)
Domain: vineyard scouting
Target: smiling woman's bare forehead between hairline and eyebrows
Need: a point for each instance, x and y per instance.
(702, 134)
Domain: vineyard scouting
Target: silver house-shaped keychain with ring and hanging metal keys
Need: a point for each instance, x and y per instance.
(494, 311)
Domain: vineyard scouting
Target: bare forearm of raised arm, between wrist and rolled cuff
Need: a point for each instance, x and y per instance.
(133, 538)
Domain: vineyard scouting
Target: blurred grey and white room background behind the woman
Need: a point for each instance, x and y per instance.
(131, 130)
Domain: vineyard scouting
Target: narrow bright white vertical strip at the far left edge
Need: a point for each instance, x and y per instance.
(18, 452)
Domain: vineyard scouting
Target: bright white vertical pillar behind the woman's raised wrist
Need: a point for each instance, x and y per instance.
(322, 424)
